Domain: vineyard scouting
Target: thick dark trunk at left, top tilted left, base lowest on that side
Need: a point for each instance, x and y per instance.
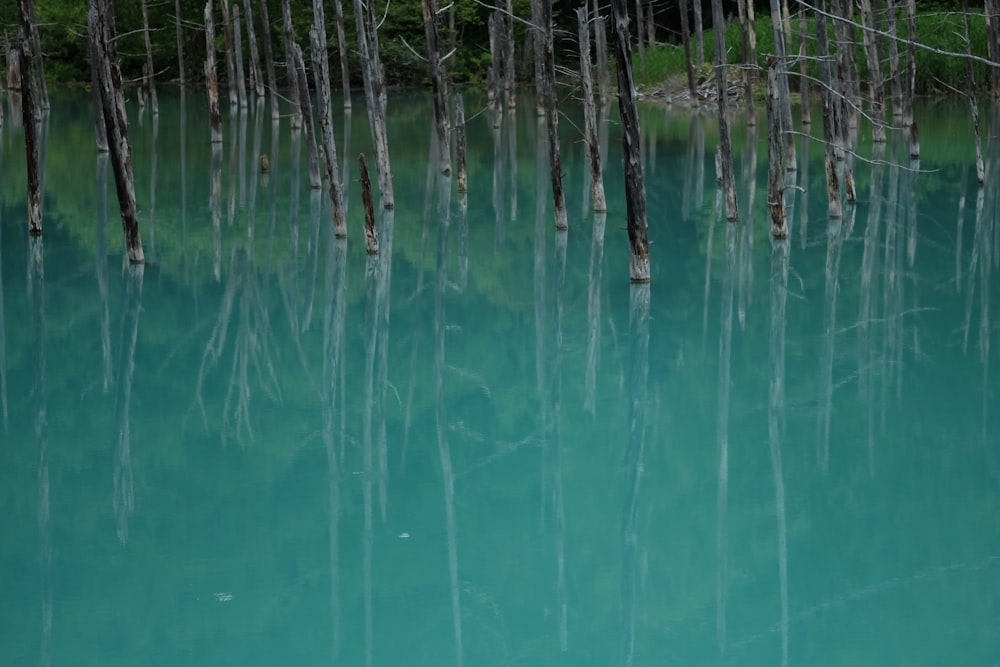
(109, 80)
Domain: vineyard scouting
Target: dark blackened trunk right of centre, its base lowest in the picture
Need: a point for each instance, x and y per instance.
(635, 185)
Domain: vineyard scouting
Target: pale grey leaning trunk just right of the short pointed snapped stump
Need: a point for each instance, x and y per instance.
(371, 68)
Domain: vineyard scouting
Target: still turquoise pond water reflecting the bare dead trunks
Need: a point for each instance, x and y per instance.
(485, 447)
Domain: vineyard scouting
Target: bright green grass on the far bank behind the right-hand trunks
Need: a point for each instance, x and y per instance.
(936, 74)
